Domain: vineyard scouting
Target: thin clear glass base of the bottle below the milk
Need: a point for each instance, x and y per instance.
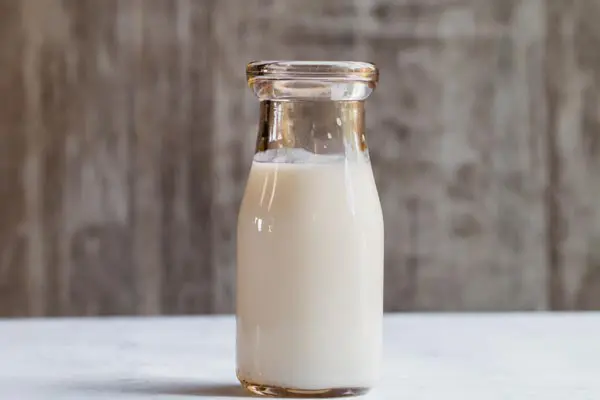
(278, 391)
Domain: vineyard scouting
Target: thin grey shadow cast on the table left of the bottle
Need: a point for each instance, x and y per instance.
(198, 389)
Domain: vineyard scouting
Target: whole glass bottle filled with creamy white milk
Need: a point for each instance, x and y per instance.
(310, 235)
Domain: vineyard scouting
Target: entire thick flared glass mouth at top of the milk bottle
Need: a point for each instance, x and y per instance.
(312, 80)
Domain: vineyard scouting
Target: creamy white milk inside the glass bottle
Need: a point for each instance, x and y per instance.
(310, 275)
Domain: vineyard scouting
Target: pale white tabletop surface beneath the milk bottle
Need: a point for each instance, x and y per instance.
(466, 357)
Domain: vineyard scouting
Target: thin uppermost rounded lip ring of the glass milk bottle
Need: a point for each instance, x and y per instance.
(350, 71)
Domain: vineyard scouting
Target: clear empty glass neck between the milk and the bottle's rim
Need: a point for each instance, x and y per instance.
(321, 127)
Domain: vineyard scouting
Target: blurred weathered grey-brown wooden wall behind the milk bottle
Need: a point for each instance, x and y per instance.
(127, 129)
